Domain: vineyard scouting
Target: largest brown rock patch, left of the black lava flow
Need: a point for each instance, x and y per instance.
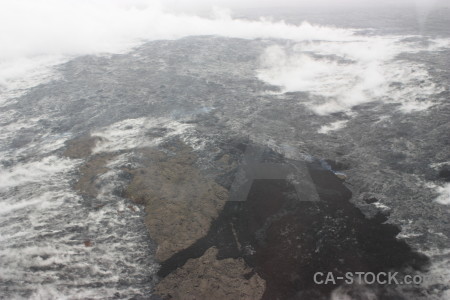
(179, 201)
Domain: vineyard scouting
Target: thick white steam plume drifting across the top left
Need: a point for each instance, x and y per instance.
(40, 33)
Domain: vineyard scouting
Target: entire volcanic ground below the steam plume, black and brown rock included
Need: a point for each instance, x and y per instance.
(116, 173)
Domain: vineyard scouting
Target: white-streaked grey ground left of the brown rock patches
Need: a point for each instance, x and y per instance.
(43, 228)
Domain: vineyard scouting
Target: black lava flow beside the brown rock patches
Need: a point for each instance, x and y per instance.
(286, 239)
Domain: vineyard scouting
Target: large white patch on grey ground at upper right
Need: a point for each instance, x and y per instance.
(342, 74)
